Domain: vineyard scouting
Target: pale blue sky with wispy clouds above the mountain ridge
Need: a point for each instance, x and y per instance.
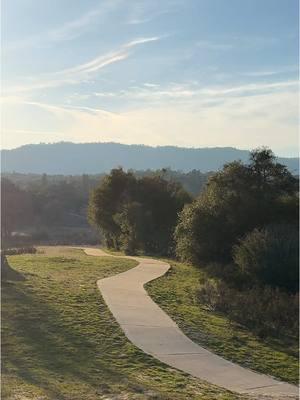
(190, 73)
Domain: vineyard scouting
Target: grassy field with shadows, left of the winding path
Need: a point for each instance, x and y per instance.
(60, 342)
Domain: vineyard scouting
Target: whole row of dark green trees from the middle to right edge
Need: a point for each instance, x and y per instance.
(246, 216)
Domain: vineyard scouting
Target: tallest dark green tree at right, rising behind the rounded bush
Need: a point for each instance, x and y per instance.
(237, 199)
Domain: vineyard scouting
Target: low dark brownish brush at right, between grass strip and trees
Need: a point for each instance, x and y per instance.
(266, 311)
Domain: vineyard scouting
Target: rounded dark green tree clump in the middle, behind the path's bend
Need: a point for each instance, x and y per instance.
(137, 214)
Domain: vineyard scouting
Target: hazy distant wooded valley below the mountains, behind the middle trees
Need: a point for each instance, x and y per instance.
(53, 208)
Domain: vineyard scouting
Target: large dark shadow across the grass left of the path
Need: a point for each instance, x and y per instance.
(45, 349)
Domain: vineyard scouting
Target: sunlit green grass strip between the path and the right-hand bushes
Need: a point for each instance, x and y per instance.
(176, 294)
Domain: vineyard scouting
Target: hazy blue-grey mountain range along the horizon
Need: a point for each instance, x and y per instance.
(91, 158)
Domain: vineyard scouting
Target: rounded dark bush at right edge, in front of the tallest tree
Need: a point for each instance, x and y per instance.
(270, 256)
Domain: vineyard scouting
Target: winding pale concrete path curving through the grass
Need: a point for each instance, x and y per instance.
(153, 331)
